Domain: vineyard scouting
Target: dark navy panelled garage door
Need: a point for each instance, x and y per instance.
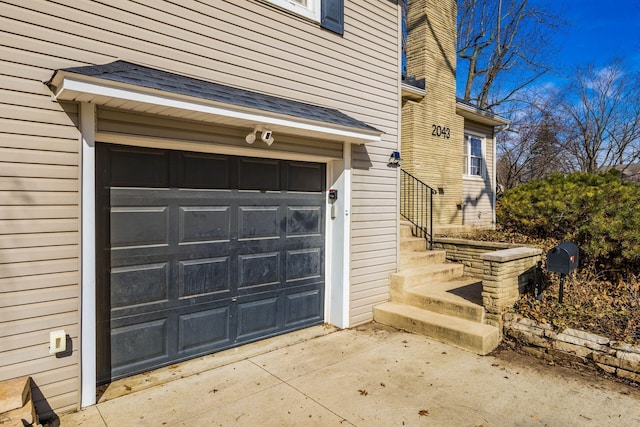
(200, 252)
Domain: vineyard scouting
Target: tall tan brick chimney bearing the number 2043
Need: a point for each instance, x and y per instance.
(436, 160)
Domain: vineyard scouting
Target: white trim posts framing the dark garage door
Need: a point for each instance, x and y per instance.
(337, 243)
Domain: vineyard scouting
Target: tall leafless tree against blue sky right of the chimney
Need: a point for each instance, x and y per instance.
(504, 43)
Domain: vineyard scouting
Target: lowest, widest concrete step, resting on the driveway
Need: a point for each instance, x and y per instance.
(476, 337)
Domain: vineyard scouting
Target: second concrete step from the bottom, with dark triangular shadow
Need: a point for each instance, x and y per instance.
(457, 297)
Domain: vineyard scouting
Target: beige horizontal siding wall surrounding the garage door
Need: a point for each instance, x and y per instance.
(244, 43)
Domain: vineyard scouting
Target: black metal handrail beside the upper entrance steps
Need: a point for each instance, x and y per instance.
(416, 205)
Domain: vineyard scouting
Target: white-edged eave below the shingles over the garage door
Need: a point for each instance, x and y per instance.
(71, 86)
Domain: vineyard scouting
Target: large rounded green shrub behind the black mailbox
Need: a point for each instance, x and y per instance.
(597, 212)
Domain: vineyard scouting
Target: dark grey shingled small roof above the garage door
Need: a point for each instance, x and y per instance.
(139, 75)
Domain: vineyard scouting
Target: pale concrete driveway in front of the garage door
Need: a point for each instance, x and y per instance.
(367, 376)
